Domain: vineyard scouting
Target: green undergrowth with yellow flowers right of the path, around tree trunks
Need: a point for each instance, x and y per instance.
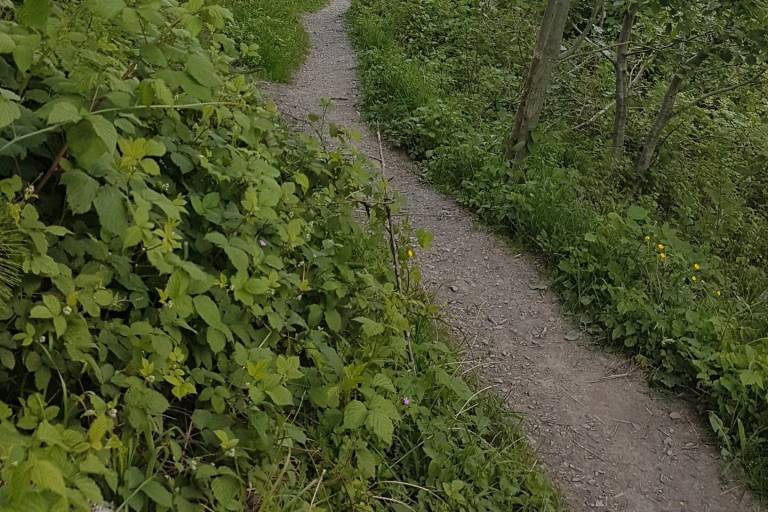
(667, 263)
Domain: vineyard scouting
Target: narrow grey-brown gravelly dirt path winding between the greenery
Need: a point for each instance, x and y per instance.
(608, 442)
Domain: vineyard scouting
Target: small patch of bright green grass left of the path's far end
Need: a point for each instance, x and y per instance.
(271, 35)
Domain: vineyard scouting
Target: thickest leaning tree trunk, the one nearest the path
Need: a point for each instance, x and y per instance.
(545, 55)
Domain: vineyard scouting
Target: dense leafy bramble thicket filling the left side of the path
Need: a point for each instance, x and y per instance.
(201, 322)
